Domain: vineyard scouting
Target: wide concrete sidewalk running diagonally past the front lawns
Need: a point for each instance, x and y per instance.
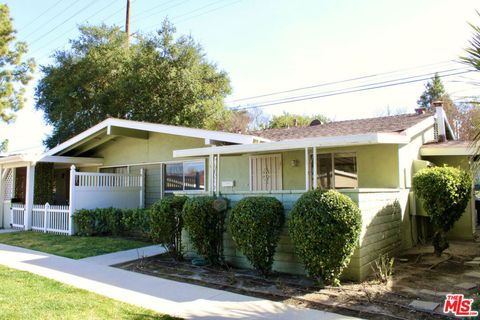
(162, 295)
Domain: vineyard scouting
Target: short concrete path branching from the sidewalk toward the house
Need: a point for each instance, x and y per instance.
(110, 259)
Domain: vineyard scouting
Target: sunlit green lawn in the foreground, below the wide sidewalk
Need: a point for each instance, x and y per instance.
(27, 296)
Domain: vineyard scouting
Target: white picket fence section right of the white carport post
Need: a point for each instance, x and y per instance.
(51, 219)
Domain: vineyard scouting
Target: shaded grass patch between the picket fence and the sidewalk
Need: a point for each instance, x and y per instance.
(74, 247)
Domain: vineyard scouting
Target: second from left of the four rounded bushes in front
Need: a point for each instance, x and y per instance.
(205, 226)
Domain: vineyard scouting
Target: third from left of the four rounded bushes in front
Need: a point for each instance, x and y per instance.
(255, 224)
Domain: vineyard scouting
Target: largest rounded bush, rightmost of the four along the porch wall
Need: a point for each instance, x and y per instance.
(325, 226)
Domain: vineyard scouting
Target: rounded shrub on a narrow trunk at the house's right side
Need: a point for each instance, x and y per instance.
(445, 192)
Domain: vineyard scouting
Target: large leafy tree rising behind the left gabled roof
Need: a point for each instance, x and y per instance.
(157, 78)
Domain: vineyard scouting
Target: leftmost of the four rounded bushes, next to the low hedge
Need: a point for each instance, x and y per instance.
(166, 224)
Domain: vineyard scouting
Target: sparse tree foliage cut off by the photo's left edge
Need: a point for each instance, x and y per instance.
(15, 72)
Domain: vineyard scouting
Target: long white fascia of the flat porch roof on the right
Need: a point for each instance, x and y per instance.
(323, 142)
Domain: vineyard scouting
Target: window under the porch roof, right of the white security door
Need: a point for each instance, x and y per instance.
(337, 170)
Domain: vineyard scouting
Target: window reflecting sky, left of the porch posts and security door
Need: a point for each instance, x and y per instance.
(184, 176)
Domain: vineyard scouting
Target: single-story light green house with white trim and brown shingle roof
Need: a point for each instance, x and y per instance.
(133, 164)
